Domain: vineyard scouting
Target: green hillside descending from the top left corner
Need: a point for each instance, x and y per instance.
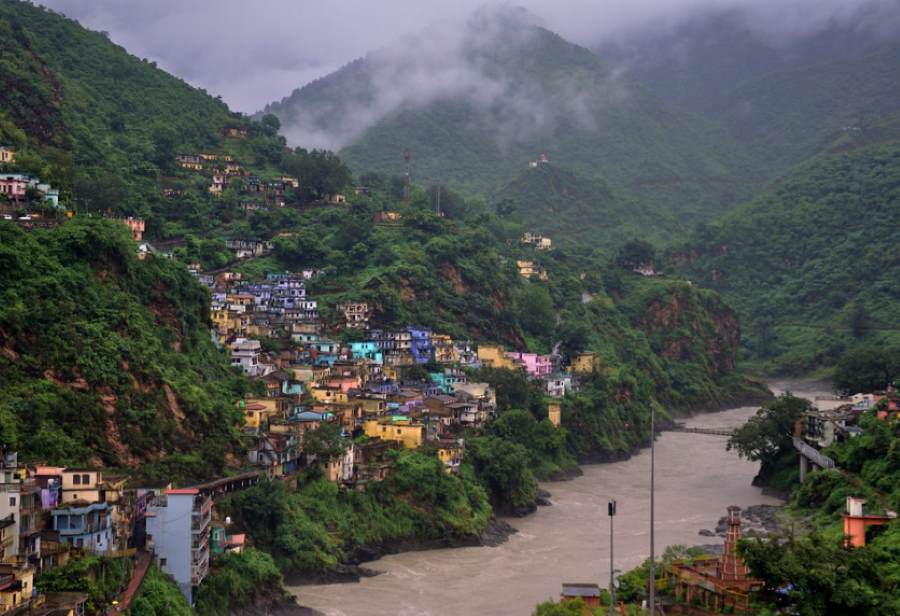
(105, 127)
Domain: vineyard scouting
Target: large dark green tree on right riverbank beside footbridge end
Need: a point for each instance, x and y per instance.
(769, 432)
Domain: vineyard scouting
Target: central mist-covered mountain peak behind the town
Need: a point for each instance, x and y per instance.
(475, 104)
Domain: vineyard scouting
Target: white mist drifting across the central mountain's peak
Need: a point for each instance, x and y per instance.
(475, 60)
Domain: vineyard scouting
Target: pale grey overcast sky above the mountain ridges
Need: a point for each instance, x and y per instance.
(252, 53)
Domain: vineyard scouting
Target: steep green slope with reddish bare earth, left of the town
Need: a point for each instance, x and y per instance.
(106, 360)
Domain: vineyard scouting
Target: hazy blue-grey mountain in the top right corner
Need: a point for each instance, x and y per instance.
(784, 96)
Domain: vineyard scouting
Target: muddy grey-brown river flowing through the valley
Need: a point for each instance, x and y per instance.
(696, 479)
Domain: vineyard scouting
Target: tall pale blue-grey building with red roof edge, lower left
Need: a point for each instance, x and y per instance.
(178, 524)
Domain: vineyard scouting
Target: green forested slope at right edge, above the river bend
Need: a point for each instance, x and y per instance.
(811, 265)
